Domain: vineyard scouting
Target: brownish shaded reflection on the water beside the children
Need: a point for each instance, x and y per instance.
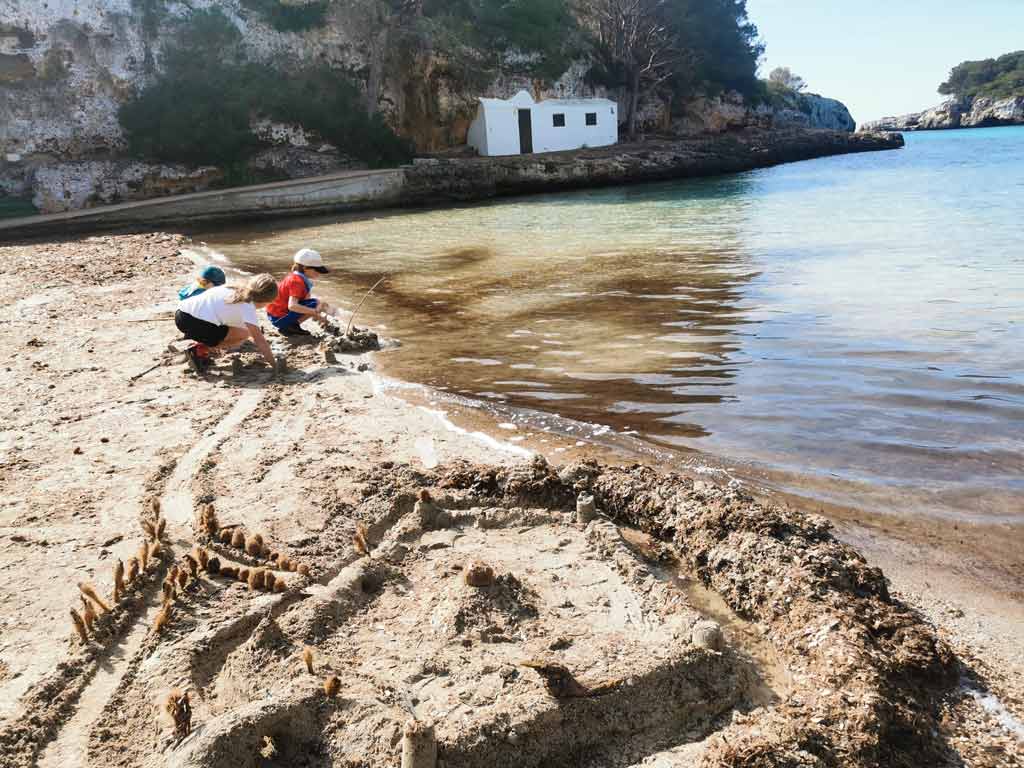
(603, 306)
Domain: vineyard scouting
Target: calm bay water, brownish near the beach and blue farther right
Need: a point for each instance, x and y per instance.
(856, 322)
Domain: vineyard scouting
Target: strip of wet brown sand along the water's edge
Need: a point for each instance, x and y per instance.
(944, 566)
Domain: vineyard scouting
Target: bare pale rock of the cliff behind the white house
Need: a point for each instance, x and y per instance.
(66, 67)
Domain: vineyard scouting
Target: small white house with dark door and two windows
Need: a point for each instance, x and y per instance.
(521, 125)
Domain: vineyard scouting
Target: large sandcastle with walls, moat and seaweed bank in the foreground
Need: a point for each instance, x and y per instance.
(488, 622)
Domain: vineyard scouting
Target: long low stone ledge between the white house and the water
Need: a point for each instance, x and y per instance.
(435, 183)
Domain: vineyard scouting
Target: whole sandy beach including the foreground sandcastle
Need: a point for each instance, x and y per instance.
(306, 458)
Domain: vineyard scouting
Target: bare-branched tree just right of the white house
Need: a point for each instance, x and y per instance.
(638, 37)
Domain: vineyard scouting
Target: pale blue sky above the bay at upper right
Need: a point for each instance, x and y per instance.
(883, 58)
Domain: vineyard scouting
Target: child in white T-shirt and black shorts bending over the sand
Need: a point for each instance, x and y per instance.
(224, 318)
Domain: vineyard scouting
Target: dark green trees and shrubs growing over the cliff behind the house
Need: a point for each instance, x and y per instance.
(200, 105)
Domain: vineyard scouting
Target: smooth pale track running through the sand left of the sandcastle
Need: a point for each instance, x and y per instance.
(70, 747)
